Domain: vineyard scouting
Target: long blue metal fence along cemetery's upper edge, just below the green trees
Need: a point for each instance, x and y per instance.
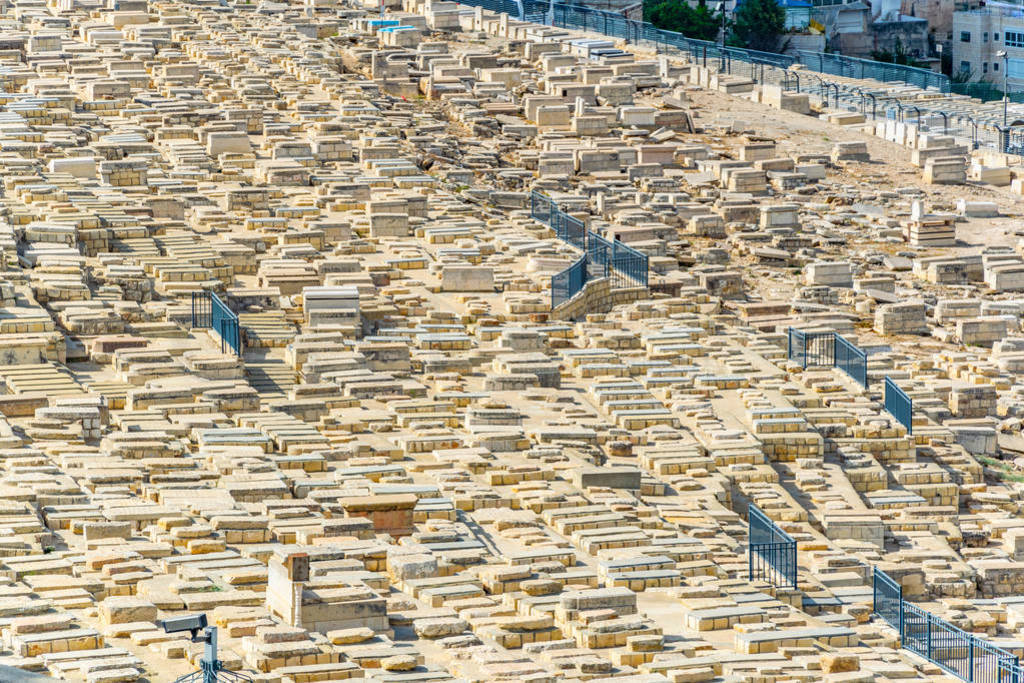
(611, 24)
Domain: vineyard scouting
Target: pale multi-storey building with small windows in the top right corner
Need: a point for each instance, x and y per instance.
(979, 34)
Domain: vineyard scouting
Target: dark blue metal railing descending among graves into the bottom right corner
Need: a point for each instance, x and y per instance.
(961, 654)
